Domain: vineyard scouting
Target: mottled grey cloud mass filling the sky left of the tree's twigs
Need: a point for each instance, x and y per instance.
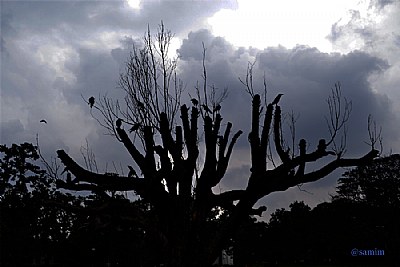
(56, 52)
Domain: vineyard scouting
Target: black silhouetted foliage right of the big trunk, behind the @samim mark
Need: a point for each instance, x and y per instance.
(364, 215)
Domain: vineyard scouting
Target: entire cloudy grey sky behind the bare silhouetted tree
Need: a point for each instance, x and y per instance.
(55, 52)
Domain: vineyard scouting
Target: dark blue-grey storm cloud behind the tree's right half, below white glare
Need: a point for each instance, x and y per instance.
(305, 76)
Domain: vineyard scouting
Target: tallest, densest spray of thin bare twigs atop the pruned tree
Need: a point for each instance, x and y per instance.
(151, 87)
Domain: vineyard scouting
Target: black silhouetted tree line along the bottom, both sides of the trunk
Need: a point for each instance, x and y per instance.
(41, 226)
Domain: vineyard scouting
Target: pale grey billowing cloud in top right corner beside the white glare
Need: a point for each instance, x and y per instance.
(377, 32)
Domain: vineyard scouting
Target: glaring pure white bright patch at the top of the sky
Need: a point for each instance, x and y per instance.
(288, 22)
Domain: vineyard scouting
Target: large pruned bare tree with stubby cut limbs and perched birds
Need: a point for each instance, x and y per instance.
(169, 178)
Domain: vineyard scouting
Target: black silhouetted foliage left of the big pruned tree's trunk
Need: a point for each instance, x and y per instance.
(42, 226)
